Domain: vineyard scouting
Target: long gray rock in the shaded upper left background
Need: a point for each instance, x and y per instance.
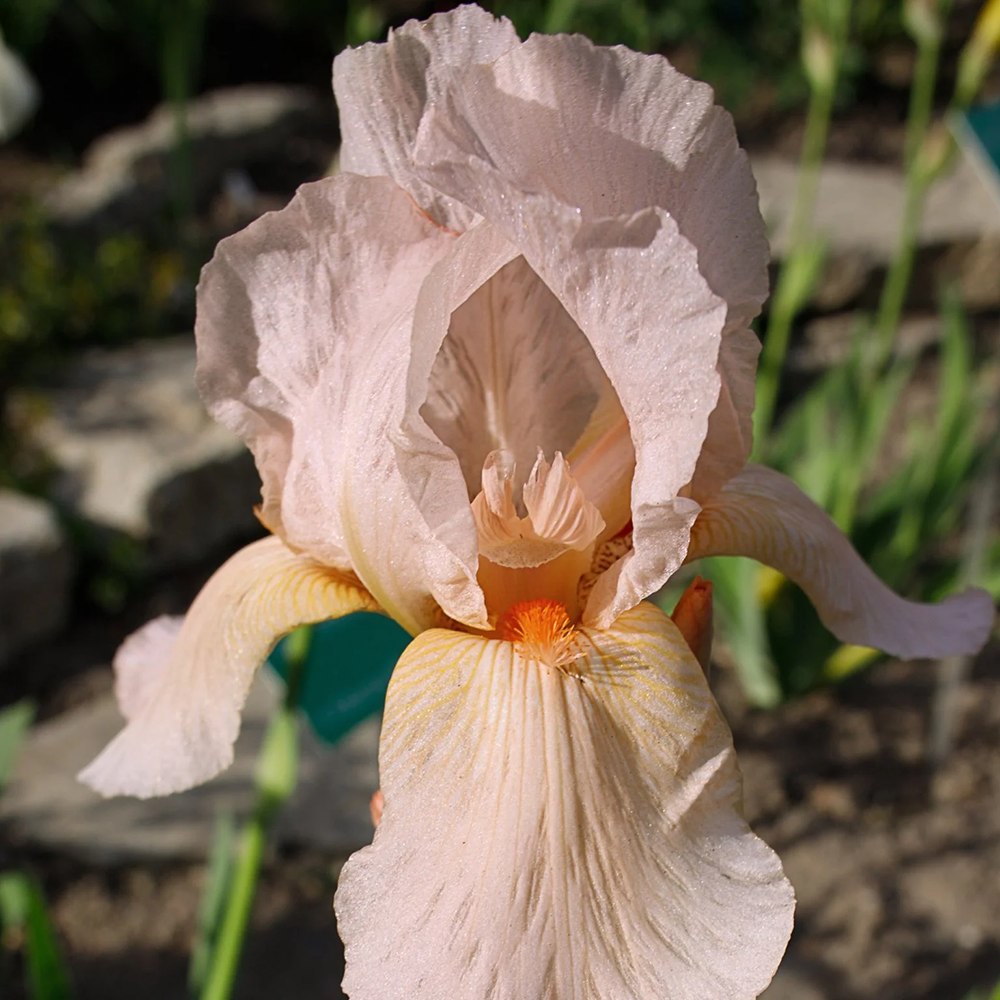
(125, 179)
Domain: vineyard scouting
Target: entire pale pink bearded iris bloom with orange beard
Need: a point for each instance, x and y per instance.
(497, 376)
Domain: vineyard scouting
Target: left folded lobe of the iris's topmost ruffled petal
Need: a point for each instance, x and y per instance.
(382, 91)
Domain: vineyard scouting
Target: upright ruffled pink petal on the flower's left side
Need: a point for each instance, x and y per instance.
(305, 333)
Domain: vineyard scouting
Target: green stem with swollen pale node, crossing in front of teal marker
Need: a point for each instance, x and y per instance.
(277, 772)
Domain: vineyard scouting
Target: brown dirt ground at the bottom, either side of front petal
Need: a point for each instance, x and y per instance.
(895, 863)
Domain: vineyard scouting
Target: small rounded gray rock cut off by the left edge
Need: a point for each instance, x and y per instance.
(36, 568)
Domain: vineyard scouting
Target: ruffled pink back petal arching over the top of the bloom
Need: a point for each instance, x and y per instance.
(605, 131)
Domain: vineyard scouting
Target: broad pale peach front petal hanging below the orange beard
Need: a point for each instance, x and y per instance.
(560, 832)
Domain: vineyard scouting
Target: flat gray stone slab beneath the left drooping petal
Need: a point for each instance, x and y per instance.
(46, 806)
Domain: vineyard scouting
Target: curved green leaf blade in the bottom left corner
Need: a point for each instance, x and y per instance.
(23, 911)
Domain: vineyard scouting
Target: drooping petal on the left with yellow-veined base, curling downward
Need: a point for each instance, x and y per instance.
(182, 724)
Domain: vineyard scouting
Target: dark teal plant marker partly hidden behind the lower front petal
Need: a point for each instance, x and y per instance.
(346, 670)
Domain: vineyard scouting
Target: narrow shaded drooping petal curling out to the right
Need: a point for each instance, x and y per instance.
(763, 515)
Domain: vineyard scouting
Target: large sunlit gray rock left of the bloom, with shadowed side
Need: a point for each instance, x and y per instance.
(137, 455)
